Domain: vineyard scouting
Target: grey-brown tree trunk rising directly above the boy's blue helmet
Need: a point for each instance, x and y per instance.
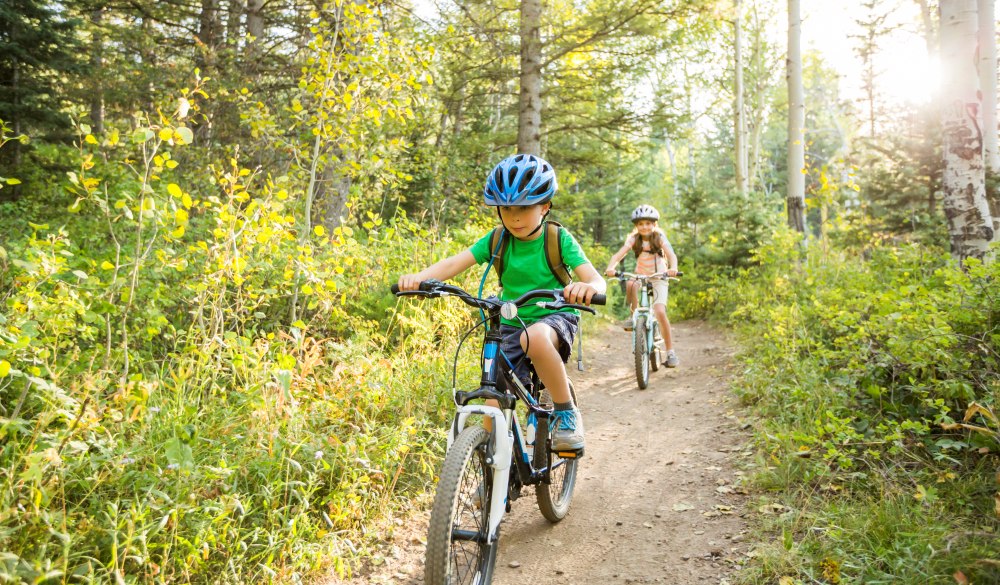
(529, 119)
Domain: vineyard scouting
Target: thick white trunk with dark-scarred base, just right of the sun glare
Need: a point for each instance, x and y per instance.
(969, 222)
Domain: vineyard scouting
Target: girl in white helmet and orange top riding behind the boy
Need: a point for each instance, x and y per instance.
(654, 255)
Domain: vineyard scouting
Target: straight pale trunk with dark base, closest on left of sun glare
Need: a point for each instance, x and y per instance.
(796, 194)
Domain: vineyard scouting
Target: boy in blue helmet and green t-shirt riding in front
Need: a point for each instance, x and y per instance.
(521, 187)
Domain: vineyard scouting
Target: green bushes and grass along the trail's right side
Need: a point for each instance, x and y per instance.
(872, 375)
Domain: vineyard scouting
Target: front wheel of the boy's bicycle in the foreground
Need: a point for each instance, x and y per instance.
(457, 548)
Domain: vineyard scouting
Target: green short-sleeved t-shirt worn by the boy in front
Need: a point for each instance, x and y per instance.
(525, 269)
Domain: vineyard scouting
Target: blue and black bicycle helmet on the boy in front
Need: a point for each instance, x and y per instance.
(521, 179)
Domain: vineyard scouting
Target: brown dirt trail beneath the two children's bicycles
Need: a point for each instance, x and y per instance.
(659, 496)
